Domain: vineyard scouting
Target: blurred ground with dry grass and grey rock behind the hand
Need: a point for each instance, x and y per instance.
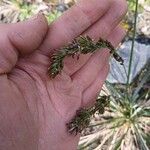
(125, 123)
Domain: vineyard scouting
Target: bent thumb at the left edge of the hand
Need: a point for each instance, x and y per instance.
(19, 39)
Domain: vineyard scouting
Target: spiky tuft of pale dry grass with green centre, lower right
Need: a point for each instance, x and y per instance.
(125, 125)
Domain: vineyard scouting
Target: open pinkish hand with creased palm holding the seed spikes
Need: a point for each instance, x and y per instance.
(35, 108)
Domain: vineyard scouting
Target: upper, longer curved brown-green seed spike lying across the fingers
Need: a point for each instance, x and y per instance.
(80, 45)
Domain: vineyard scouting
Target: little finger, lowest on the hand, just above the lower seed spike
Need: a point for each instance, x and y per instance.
(92, 92)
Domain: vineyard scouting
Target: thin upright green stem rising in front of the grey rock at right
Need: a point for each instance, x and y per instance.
(132, 48)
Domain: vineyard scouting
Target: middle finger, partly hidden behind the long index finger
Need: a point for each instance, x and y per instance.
(109, 21)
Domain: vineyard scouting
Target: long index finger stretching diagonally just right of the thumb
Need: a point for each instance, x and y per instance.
(74, 21)
